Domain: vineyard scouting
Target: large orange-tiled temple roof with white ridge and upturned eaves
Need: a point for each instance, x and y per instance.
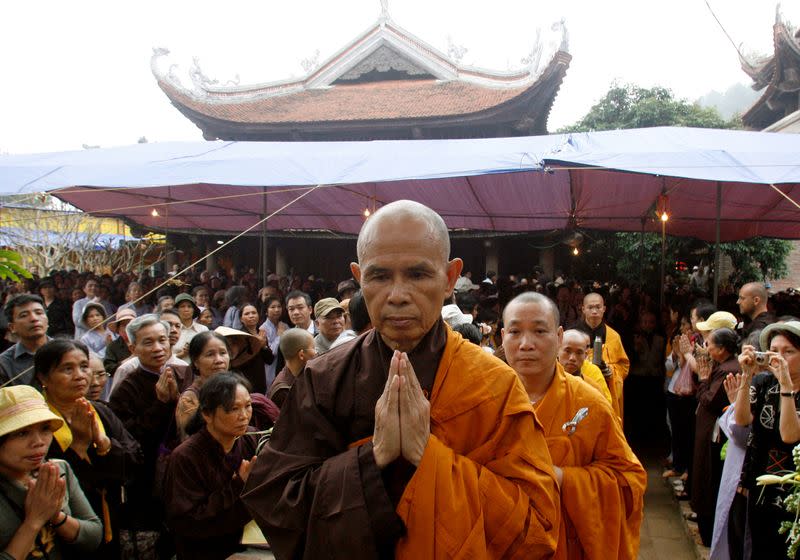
(386, 80)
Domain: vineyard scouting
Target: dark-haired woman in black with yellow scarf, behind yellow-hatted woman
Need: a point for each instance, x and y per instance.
(101, 452)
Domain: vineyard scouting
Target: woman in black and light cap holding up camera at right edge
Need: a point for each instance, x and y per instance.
(771, 408)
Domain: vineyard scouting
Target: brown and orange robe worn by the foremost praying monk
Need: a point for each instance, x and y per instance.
(483, 489)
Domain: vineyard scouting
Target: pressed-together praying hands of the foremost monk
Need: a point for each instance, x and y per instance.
(402, 416)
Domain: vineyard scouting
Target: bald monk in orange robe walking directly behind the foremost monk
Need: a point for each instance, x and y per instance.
(602, 482)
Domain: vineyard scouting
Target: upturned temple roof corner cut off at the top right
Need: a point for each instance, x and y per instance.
(778, 75)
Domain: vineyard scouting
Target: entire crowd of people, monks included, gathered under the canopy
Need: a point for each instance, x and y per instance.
(404, 411)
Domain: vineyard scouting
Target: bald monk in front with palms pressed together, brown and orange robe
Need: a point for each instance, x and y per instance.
(408, 441)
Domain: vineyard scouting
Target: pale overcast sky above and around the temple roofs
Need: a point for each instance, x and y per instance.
(78, 72)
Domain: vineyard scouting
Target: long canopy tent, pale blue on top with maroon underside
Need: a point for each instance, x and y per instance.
(720, 185)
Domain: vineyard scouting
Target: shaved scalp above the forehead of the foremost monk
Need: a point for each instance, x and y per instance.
(417, 215)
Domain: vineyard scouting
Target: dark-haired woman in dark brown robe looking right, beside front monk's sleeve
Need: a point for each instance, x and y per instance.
(207, 472)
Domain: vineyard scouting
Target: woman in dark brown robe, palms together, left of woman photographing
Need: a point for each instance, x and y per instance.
(722, 345)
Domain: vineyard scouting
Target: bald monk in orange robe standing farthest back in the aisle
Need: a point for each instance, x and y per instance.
(615, 359)
